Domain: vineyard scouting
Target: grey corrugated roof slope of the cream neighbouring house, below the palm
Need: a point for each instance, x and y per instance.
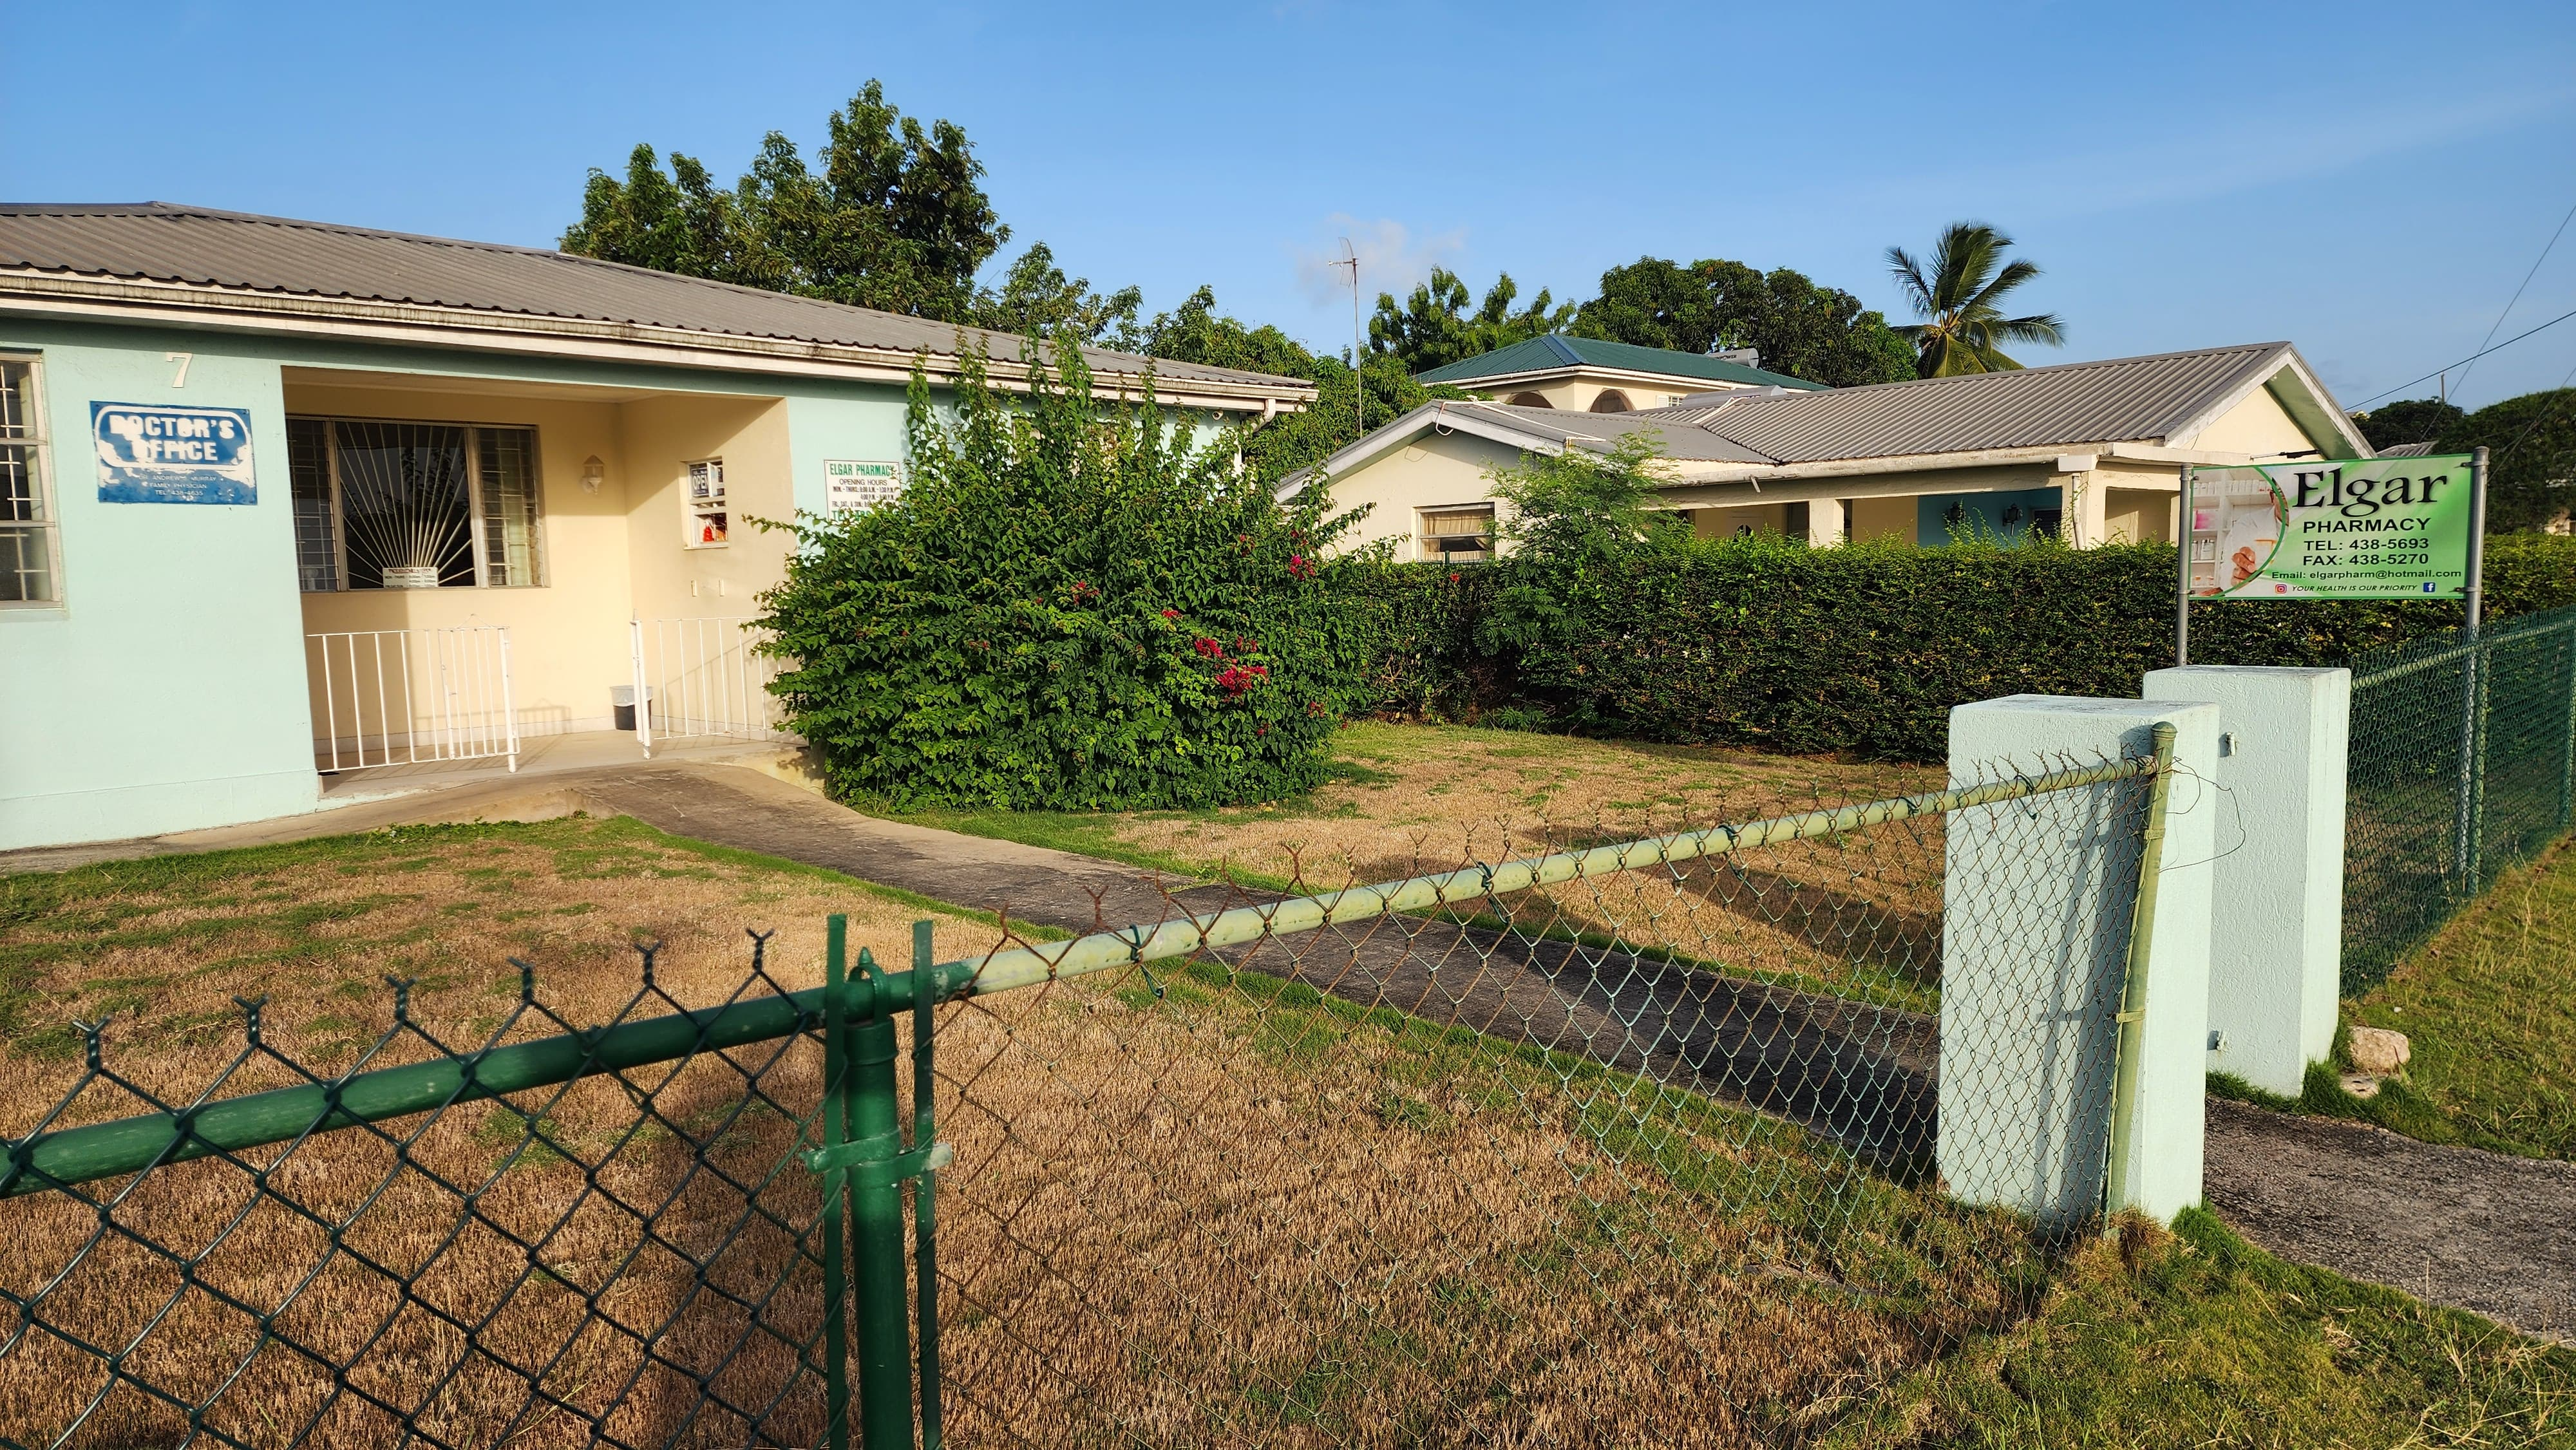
(2119, 400)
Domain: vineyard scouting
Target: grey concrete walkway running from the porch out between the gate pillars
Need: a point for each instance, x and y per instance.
(2446, 1225)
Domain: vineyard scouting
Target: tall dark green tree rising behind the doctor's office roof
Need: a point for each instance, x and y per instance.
(895, 218)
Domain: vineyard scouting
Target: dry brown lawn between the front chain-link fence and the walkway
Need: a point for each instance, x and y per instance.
(1233, 1214)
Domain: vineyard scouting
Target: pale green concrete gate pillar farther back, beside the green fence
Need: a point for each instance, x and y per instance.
(2278, 910)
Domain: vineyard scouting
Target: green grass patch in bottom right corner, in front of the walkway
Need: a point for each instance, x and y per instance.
(2204, 1341)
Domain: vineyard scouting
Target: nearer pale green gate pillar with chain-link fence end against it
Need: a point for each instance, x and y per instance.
(2036, 916)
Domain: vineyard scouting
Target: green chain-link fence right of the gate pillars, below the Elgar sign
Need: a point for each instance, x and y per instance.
(2464, 766)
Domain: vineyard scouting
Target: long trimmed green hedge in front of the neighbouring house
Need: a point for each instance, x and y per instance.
(1848, 650)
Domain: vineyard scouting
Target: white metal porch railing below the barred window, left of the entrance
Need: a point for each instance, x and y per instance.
(411, 697)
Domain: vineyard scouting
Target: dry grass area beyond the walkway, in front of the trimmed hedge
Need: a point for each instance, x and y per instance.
(1853, 916)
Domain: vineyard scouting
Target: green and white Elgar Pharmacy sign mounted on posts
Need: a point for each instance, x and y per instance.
(2356, 529)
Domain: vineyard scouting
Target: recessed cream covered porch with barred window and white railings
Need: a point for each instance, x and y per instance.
(496, 573)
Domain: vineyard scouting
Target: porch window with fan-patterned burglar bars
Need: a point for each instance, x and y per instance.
(413, 506)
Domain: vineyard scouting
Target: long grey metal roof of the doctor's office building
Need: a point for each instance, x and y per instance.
(238, 251)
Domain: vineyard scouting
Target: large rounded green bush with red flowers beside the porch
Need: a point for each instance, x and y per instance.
(1070, 607)
